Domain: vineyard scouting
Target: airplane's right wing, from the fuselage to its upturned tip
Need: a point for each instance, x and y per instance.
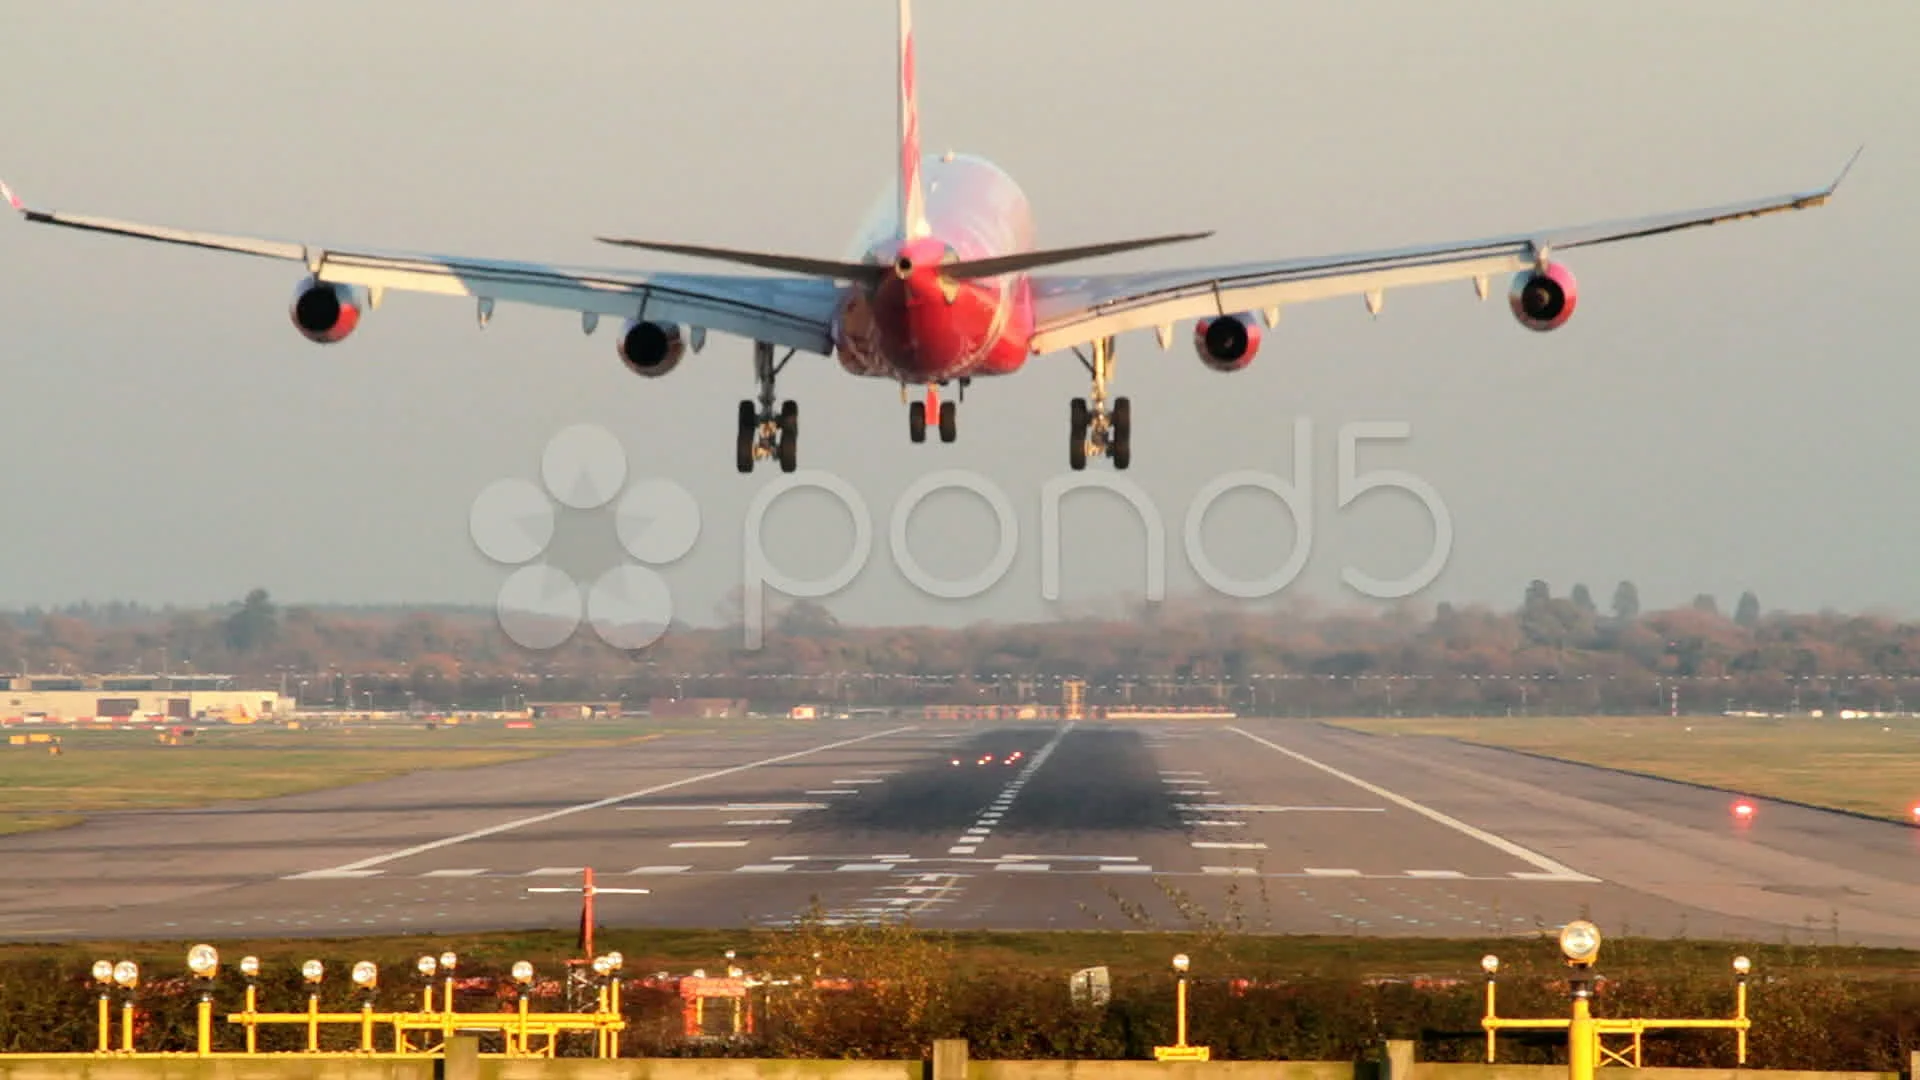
(1072, 310)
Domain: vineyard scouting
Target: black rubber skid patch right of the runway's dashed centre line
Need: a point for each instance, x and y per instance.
(1099, 781)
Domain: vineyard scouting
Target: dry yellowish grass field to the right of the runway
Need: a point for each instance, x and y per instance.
(1869, 768)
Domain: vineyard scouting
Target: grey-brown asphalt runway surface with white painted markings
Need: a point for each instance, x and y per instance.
(1262, 825)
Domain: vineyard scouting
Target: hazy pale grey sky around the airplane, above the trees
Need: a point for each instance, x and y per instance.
(1729, 408)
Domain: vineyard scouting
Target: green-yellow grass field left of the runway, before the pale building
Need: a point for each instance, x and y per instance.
(112, 772)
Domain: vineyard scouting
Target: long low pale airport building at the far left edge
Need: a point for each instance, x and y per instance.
(135, 699)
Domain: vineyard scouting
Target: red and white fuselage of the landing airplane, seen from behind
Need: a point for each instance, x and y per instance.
(917, 326)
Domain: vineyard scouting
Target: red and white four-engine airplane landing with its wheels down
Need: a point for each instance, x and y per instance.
(944, 291)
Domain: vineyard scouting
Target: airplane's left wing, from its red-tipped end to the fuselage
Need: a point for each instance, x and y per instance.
(794, 312)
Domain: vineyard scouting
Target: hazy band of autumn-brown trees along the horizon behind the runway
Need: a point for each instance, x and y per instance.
(1550, 654)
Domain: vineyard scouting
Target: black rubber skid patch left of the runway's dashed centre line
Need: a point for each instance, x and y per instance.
(934, 797)
